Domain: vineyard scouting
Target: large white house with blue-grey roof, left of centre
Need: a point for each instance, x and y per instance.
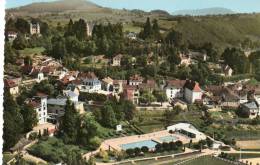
(90, 82)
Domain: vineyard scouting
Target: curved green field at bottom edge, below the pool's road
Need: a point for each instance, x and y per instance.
(206, 161)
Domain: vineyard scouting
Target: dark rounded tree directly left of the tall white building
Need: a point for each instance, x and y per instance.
(30, 117)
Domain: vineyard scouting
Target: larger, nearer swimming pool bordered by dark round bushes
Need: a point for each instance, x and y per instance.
(148, 143)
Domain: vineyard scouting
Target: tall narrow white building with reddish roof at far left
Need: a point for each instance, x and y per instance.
(39, 103)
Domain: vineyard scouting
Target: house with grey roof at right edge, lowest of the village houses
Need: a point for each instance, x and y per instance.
(252, 107)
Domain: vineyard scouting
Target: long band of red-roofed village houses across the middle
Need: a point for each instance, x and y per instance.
(178, 92)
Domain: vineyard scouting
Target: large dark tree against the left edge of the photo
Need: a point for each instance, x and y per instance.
(13, 122)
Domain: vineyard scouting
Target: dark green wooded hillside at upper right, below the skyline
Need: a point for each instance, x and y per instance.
(221, 30)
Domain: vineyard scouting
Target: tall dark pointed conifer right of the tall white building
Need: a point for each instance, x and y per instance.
(69, 124)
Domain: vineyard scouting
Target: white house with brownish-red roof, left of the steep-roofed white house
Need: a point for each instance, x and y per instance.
(174, 89)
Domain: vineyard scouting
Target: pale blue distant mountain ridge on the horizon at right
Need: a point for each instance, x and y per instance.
(206, 11)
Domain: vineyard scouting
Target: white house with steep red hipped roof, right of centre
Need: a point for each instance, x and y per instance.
(192, 91)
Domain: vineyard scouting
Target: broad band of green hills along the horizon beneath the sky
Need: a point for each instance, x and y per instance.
(221, 30)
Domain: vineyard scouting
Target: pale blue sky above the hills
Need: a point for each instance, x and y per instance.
(241, 6)
